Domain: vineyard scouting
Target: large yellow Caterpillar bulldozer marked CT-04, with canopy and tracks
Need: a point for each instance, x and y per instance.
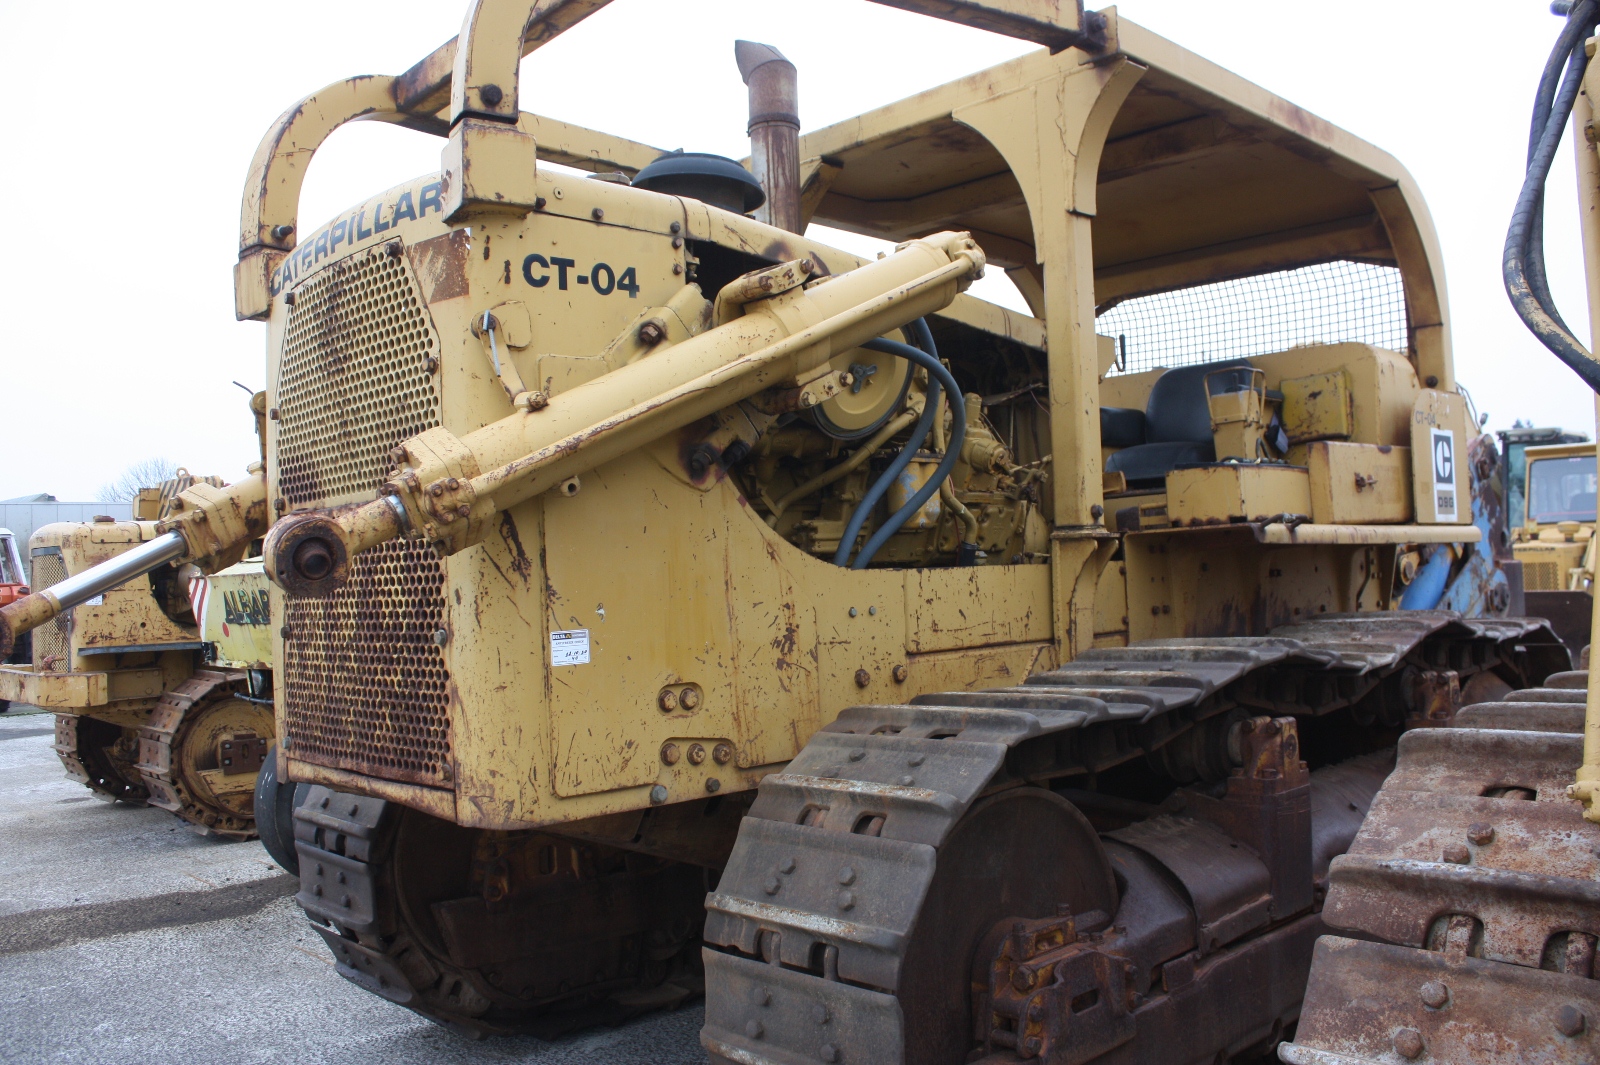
(666, 604)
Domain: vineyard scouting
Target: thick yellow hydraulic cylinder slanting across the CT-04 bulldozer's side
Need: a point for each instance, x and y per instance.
(447, 487)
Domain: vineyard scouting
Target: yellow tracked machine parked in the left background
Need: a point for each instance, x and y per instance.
(158, 693)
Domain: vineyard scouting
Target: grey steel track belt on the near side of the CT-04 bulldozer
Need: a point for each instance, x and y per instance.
(802, 970)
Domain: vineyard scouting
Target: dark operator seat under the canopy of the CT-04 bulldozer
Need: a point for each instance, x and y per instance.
(1172, 431)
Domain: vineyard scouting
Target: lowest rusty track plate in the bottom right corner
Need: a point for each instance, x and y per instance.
(1378, 1003)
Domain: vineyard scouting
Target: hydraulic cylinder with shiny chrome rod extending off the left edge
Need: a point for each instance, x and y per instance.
(212, 529)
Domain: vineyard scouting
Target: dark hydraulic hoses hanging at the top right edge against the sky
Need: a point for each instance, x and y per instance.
(1524, 258)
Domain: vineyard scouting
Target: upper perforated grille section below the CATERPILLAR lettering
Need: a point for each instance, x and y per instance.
(354, 380)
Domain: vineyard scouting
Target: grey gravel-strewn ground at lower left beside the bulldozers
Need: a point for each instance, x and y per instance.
(129, 939)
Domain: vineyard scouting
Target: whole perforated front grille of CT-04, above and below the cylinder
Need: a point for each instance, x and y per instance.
(364, 680)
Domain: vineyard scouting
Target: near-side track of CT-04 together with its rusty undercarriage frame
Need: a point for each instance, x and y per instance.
(1247, 858)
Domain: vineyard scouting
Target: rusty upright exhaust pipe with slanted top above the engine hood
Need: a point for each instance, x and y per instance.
(775, 130)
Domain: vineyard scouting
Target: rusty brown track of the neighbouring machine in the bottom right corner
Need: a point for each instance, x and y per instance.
(1481, 882)
